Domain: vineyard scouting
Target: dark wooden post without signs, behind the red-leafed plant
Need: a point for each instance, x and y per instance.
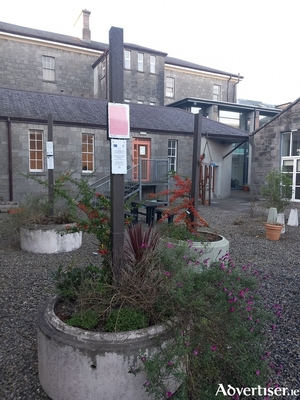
(196, 163)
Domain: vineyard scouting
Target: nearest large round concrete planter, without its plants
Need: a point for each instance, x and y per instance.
(75, 364)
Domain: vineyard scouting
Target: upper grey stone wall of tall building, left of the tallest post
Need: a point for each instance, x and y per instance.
(21, 68)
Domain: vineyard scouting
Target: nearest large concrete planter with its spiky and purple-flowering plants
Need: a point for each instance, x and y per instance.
(156, 327)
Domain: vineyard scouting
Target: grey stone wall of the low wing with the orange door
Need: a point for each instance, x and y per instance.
(67, 154)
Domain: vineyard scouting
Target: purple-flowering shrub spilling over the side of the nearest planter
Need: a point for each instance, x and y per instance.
(221, 330)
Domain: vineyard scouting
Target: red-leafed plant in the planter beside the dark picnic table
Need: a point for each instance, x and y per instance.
(181, 204)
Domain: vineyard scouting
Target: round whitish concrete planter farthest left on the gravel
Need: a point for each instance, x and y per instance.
(48, 239)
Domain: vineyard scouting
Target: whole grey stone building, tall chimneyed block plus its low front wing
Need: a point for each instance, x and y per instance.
(62, 70)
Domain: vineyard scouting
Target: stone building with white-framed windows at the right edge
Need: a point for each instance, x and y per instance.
(276, 145)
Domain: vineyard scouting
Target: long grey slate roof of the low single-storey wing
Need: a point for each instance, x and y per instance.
(33, 107)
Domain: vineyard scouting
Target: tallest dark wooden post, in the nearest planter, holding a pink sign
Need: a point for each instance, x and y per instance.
(116, 95)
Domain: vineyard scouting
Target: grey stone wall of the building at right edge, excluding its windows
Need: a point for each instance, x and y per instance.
(266, 145)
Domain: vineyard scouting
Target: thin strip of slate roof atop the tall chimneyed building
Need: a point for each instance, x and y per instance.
(70, 40)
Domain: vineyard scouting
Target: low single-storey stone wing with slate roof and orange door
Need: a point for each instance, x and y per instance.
(157, 134)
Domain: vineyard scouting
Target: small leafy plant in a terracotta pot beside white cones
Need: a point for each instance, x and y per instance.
(277, 193)
